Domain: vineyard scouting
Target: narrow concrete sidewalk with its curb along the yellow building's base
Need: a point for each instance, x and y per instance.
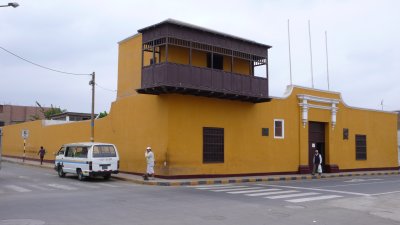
(225, 180)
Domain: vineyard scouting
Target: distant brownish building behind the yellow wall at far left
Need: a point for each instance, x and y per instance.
(13, 114)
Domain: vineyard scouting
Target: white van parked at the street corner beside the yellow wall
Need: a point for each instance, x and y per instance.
(88, 159)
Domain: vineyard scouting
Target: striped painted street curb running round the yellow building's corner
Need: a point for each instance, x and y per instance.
(232, 180)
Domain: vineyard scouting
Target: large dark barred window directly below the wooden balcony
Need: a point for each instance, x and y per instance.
(213, 145)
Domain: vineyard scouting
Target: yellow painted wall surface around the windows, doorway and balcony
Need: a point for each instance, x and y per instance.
(172, 125)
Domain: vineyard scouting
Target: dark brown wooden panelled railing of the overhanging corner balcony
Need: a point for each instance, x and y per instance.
(177, 78)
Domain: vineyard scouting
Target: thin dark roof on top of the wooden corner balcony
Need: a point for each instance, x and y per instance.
(195, 27)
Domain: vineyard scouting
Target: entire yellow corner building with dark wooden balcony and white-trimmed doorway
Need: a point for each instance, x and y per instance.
(192, 95)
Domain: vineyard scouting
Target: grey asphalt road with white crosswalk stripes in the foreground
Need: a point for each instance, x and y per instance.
(37, 196)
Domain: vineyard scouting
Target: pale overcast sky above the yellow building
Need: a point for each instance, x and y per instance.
(82, 36)
